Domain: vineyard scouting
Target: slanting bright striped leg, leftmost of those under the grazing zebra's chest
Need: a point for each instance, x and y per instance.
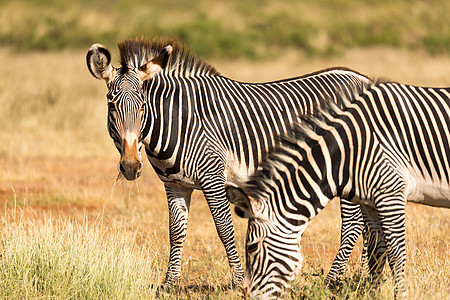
(352, 226)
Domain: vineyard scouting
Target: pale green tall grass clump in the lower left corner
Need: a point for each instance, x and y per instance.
(66, 259)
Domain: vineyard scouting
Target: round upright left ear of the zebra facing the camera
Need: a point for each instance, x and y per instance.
(98, 60)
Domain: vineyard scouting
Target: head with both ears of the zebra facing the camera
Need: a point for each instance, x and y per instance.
(127, 109)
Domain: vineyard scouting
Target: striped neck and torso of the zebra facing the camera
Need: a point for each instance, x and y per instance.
(233, 124)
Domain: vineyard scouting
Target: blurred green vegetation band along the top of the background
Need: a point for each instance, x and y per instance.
(251, 29)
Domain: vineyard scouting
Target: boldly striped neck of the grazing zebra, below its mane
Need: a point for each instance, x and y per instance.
(308, 170)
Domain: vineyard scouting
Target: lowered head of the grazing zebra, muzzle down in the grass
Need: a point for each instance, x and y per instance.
(273, 257)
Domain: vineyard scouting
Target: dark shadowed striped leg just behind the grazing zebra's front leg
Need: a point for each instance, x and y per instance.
(374, 243)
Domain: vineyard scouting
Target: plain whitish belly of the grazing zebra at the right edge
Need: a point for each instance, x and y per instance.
(428, 193)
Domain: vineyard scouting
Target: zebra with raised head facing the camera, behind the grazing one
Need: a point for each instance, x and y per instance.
(200, 129)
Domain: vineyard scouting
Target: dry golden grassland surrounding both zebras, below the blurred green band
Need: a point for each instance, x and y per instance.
(71, 228)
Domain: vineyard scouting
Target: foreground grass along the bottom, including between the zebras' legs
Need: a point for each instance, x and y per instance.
(82, 257)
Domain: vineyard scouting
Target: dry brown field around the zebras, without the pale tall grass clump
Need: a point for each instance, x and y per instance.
(56, 159)
